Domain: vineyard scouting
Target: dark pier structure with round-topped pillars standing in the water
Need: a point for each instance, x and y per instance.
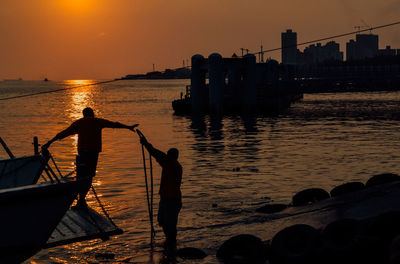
(236, 85)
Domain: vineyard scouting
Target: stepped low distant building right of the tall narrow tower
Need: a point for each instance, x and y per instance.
(318, 53)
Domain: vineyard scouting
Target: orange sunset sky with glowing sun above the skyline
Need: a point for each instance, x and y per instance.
(100, 39)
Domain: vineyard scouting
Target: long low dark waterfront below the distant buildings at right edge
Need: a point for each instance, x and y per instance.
(372, 74)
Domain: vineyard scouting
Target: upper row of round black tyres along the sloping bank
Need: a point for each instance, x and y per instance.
(312, 195)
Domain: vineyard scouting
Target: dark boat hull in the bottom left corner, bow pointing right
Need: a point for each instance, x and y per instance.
(29, 214)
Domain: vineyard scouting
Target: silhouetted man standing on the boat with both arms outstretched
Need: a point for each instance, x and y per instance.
(88, 129)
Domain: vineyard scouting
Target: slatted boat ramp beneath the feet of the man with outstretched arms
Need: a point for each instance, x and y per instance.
(82, 224)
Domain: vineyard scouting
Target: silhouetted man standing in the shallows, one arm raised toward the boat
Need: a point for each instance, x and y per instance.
(170, 189)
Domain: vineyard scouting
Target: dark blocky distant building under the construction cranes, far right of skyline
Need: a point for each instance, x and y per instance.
(365, 46)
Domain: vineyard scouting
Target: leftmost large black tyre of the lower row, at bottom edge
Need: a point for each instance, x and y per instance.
(243, 249)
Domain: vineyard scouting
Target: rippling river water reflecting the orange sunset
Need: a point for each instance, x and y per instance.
(231, 165)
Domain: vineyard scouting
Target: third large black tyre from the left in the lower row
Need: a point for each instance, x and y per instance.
(340, 239)
